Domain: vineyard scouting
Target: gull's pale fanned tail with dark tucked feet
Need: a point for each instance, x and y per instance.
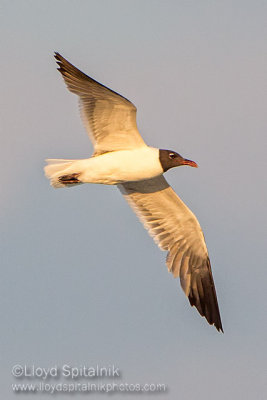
(61, 173)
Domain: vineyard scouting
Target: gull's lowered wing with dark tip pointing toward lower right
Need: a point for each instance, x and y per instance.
(175, 229)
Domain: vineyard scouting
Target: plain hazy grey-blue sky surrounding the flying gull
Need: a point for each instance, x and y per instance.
(81, 281)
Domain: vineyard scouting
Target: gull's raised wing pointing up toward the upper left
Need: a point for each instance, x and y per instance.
(109, 118)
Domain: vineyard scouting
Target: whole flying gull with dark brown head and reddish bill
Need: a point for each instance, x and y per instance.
(122, 158)
